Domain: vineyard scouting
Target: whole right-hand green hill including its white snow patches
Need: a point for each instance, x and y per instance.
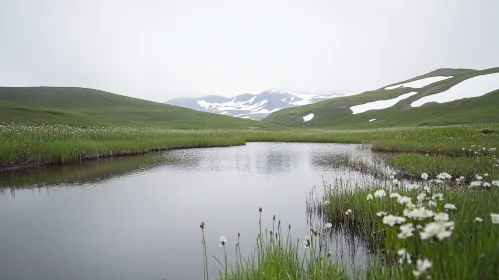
(465, 96)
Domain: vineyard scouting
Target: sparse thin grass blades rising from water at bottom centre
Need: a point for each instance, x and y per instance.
(277, 255)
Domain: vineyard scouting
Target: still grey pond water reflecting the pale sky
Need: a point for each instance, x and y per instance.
(138, 217)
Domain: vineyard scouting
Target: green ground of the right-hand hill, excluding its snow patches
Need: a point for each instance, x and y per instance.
(335, 113)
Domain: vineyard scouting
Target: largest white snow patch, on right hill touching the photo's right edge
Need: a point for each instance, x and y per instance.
(472, 87)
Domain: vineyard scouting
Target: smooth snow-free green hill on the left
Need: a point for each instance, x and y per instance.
(89, 107)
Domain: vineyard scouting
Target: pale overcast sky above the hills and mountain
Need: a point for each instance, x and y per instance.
(158, 50)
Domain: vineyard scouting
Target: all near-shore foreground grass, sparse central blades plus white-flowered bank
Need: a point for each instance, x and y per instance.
(458, 247)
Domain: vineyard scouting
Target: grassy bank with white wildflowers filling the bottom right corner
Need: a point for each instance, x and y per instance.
(452, 227)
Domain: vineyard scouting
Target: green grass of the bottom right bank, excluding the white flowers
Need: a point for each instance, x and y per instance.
(469, 253)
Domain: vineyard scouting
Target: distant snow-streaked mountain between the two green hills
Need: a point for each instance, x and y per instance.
(251, 106)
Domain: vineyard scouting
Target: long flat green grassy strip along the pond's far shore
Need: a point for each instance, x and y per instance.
(42, 144)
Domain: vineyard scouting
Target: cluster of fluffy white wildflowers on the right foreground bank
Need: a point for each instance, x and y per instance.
(424, 214)
